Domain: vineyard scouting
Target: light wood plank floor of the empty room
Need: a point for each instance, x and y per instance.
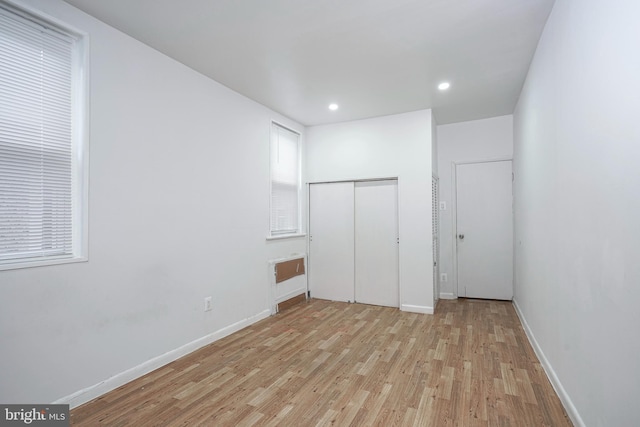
(328, 363)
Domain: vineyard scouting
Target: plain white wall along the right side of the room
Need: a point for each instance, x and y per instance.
(577, 188)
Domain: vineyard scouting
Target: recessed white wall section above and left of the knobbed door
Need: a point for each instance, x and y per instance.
(476, 140)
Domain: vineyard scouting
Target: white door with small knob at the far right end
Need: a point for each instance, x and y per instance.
(484, 230)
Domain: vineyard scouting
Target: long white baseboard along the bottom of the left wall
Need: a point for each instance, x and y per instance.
(85, 395)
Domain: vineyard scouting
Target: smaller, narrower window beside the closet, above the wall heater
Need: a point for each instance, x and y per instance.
(285, 181)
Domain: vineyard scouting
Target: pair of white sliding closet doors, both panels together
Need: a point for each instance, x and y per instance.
(353, 254)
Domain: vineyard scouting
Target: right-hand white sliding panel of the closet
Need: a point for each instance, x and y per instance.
(376, 243)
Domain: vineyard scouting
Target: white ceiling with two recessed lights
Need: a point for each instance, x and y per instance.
(372, 57)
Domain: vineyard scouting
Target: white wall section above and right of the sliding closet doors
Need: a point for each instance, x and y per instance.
(391, 146)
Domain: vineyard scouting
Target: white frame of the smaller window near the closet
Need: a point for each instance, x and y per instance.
(280, 234)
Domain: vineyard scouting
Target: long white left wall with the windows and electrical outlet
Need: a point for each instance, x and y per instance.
(179, 210)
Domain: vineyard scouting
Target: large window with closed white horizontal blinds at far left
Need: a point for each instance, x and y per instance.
(42, 177)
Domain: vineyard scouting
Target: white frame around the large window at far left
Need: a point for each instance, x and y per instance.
(79, 138)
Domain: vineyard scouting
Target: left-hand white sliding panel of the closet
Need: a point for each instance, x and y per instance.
(331, 243)
